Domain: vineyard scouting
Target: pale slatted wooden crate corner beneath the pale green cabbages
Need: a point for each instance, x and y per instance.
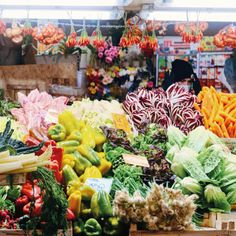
(220, 221)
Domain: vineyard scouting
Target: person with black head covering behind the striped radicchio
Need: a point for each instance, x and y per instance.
(183, 74)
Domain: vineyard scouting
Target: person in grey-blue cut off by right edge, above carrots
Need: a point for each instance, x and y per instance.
(230, 72)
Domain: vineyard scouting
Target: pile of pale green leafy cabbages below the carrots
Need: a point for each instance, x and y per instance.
(204, 166)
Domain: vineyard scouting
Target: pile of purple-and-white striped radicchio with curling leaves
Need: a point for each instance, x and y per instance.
(173, 107)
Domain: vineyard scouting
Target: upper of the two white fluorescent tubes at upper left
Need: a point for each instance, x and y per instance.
(66, 3)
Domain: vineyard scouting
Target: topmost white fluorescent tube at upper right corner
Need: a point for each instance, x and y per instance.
(202, 4)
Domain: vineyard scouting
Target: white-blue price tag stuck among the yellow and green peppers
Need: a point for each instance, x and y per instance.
(99, 184)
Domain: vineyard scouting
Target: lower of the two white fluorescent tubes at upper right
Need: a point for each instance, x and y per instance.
(211, 16)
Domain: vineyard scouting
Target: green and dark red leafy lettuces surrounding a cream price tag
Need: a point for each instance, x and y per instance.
(151, 144)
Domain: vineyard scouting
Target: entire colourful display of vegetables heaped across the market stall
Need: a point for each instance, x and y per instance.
(75, 158)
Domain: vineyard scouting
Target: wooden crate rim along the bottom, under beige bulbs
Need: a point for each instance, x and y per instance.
(200, 232)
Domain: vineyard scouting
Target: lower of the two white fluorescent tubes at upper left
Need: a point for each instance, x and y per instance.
(61, 14)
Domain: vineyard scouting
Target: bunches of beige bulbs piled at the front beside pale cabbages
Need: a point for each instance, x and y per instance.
(159, 205)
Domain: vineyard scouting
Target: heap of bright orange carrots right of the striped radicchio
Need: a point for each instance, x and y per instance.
(218, 110)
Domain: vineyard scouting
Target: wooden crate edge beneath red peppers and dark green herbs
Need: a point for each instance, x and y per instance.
(19, 232)
